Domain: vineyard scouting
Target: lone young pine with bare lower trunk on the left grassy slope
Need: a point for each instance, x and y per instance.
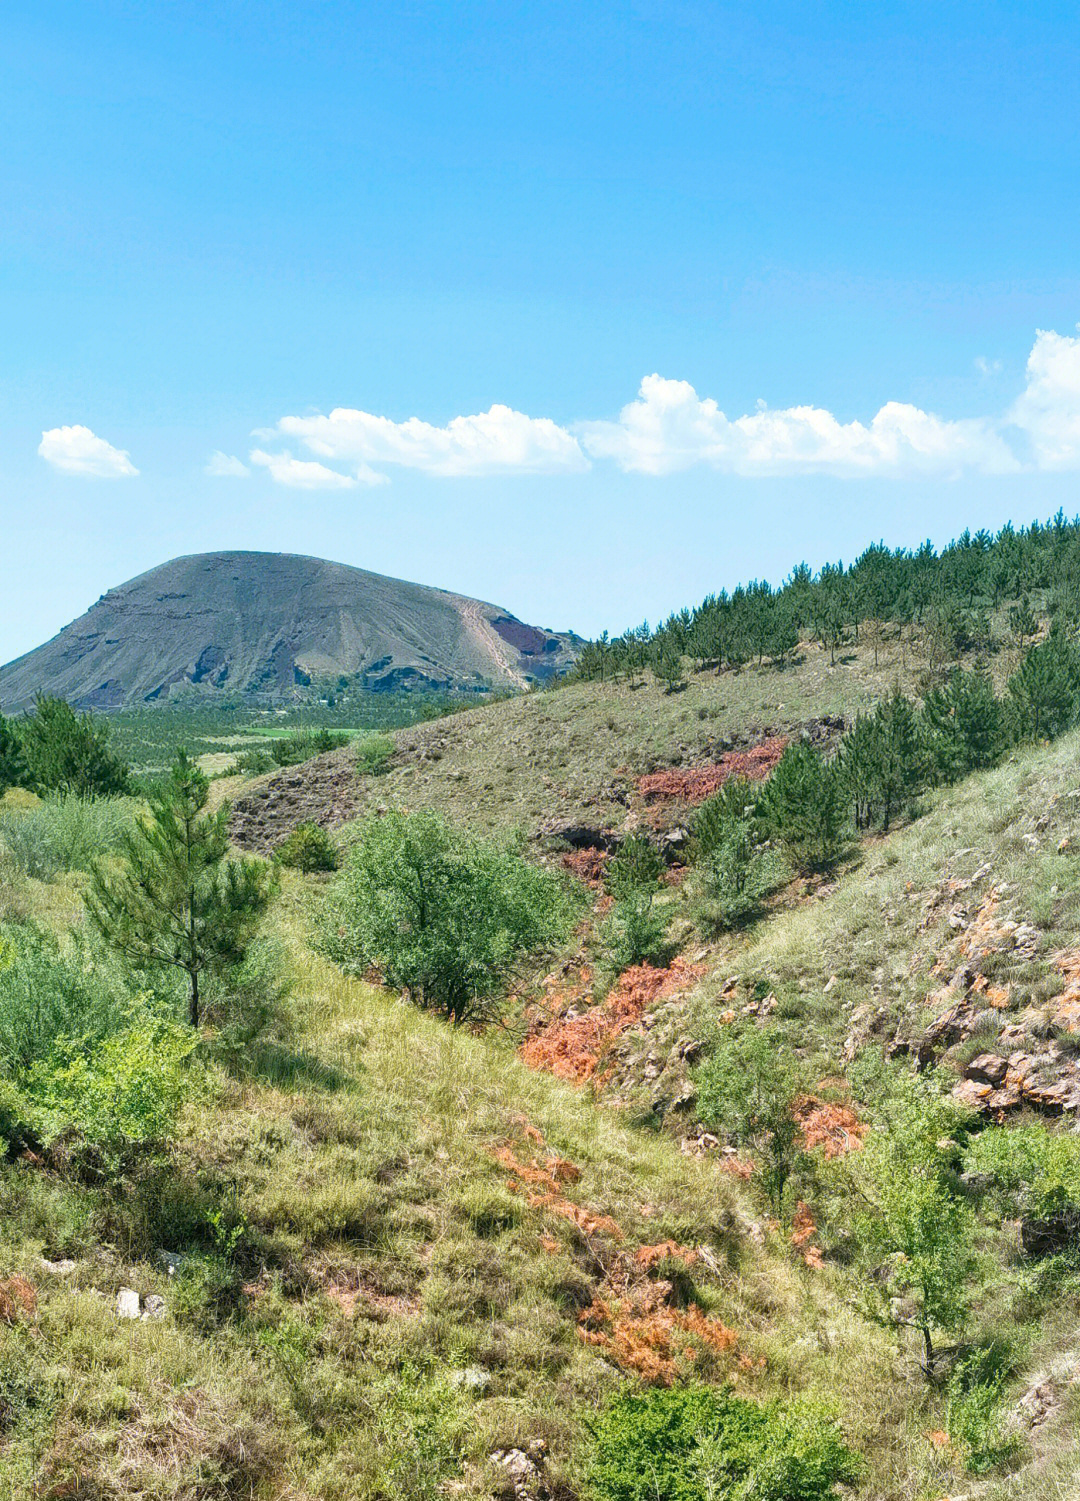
(173, 898)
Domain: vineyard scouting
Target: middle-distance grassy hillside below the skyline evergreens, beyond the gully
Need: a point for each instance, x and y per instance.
(574, 756)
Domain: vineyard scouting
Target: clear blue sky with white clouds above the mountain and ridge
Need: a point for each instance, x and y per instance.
(583, 308)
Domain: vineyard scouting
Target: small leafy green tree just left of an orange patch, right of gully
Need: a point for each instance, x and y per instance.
(748, 1092)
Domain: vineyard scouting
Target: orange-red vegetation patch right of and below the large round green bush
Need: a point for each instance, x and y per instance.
(574, 1047)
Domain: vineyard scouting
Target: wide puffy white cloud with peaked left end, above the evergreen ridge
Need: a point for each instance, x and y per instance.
(670, 427)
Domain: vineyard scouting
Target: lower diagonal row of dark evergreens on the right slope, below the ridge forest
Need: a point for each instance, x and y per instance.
(886, 760)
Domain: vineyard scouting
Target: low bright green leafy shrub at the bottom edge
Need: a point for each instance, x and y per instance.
(706, 1445)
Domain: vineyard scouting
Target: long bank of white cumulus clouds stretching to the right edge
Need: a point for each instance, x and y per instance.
(670, 427)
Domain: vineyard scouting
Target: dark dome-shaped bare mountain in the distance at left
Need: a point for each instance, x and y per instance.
(269, 624)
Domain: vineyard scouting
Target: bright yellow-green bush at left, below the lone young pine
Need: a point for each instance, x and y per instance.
(113, 1098)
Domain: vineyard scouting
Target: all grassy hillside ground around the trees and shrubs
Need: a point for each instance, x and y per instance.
(382, 1257)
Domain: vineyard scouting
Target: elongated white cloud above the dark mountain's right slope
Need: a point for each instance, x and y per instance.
(496, 442)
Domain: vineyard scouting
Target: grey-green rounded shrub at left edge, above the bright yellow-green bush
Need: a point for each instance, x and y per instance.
(52, 991)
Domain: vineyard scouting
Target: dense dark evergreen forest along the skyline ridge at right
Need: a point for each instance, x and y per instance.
(949, 595)
